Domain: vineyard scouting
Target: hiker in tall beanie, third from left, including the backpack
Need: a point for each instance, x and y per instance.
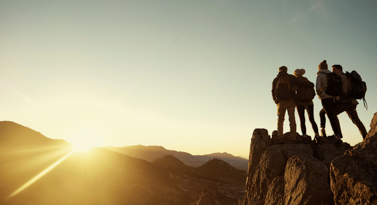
(327, 86)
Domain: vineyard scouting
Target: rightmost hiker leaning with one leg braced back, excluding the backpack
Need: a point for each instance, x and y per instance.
(346, 102)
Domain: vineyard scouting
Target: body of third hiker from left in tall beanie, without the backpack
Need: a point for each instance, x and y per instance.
(328, 101)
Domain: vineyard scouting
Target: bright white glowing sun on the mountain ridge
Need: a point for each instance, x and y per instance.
(85, 139)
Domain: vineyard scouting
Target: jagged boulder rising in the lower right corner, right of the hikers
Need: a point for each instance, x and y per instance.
(354, 175)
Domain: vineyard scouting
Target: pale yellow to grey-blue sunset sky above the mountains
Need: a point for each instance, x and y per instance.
(192, 76)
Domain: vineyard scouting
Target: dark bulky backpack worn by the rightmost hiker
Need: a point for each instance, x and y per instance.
(358, 86)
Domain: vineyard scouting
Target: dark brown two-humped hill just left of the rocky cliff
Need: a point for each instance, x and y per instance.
(215, 179)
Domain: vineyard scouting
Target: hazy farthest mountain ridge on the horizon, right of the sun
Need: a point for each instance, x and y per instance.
(151, 153)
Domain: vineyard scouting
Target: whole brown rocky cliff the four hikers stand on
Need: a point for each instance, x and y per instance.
(309, 172)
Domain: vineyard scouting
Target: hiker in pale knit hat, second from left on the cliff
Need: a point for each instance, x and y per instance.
(304, 101)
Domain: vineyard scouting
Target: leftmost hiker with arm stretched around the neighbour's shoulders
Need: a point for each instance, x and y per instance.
(284, 97)
